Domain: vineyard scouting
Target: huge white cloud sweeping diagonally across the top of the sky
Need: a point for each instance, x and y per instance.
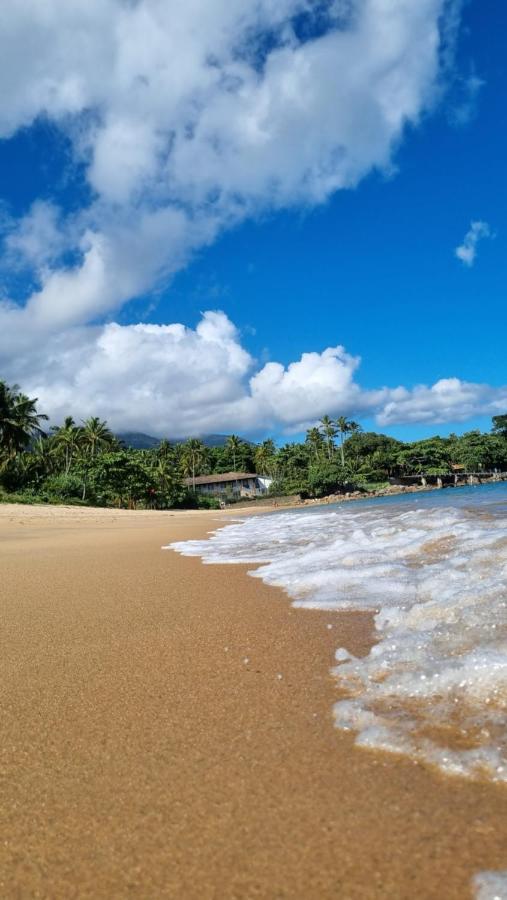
(186, 123)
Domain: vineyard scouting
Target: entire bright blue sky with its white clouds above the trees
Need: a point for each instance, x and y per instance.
(241, 217)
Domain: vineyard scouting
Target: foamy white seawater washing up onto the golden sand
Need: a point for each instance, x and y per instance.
(432, 569)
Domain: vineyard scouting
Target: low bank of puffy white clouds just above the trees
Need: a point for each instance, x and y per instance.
(176, 381)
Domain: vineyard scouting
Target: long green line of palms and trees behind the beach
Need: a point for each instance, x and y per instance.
(85, 463)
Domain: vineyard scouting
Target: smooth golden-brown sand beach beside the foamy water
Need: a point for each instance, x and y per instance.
(150, 748)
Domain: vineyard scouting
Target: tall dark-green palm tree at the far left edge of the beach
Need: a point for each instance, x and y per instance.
(19, 420)
